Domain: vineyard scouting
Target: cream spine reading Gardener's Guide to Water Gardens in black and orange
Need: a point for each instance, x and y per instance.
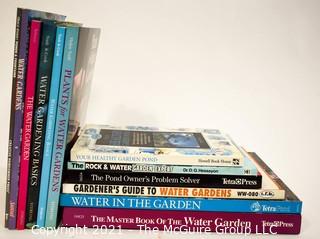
(150, 191)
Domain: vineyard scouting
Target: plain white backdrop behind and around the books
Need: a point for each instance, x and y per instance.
(248, 67)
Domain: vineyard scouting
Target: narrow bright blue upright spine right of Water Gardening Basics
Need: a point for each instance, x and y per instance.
(50, 126)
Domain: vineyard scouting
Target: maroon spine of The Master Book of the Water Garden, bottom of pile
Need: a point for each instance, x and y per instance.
(183, 221)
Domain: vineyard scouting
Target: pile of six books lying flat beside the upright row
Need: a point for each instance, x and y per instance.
(176, 180)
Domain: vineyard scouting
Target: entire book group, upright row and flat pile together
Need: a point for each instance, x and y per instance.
(145, 178)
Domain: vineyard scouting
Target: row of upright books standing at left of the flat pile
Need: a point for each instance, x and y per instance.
(52, 71)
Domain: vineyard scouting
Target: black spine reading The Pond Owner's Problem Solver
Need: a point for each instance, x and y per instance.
(164, 179)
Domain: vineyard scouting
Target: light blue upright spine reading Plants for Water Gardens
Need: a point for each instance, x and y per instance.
(61, 124)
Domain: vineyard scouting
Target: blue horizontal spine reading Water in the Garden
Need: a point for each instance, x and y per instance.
(187, 204)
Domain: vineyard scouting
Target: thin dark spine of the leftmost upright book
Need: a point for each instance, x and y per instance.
(12, 111)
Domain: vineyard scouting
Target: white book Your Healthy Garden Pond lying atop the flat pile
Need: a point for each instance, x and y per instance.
(201, 147)
